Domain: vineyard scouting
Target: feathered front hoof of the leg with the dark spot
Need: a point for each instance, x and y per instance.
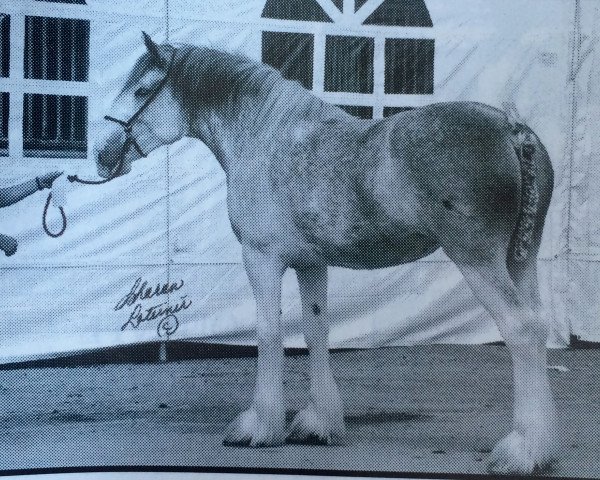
(310, 428)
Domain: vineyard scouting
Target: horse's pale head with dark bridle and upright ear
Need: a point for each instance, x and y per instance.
(144, 116)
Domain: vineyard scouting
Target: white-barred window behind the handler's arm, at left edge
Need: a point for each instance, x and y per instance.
(48, 95)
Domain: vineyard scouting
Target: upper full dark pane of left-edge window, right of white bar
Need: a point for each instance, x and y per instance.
(57, 49)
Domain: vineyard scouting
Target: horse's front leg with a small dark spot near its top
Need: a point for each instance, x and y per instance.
(323, 418)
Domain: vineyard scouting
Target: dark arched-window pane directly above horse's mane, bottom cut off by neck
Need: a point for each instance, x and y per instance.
(291, 54)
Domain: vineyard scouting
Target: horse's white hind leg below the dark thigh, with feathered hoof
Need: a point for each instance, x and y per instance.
(533, 442)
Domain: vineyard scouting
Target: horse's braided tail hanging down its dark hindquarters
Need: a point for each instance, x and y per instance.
(525, 148)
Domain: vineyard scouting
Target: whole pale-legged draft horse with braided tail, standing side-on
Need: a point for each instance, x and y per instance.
(310, 186)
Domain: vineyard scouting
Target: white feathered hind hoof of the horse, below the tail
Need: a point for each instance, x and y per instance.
(515, 455)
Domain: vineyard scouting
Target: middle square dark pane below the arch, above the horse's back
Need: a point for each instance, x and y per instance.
(349, 64)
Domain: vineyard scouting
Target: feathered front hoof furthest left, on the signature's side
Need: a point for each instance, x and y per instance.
(247, 430)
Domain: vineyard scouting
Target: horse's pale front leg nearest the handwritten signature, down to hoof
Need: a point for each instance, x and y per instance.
(263, 423)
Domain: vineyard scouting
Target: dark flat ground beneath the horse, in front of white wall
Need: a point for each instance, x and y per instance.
(408, 409)
